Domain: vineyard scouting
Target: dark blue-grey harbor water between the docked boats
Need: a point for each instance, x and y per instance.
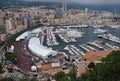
(88, 36)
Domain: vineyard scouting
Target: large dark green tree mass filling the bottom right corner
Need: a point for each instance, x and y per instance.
(108, 70)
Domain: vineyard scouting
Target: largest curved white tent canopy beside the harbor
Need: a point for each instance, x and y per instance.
(39, 50)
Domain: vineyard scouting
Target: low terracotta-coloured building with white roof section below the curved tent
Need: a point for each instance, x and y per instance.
(50, 68)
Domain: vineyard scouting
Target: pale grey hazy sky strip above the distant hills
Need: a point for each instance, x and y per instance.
(85, 1)
